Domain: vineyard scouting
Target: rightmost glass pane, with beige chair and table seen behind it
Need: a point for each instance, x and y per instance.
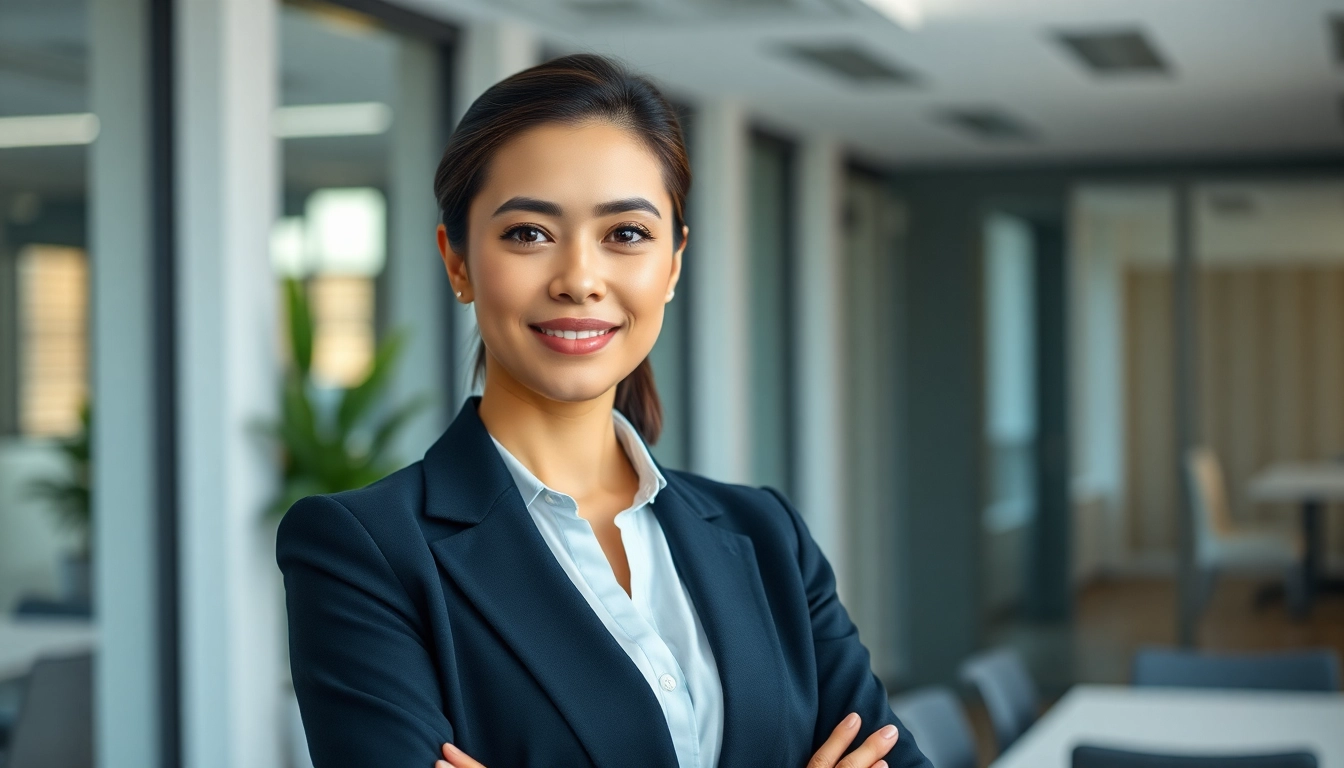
(1271, 377)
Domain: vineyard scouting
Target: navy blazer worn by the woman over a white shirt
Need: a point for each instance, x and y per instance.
(427, 609)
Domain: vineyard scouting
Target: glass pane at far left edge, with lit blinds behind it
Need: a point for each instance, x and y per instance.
(46, 131)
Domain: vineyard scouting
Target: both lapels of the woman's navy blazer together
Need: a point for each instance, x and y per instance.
(509, 574)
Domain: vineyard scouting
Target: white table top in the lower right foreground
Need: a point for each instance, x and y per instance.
(1183, 722)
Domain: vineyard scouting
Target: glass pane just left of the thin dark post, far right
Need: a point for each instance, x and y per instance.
(1126, 494)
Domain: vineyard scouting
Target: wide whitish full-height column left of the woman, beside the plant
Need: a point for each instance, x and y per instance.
(228, 184)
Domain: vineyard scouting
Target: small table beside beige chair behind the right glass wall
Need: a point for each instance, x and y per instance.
(1311, 486)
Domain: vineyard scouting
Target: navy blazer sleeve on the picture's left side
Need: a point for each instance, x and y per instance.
(366, 683)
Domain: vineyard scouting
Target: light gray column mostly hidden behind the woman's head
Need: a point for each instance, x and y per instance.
(490, 53)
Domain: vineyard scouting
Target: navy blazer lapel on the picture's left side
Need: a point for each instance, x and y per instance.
(510, 575)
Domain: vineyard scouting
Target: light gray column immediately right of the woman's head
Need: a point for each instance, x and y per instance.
(720, 325)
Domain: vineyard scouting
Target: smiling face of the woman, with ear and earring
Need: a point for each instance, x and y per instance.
(569, 259)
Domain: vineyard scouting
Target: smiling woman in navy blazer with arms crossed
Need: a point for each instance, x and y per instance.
(538, 591)
